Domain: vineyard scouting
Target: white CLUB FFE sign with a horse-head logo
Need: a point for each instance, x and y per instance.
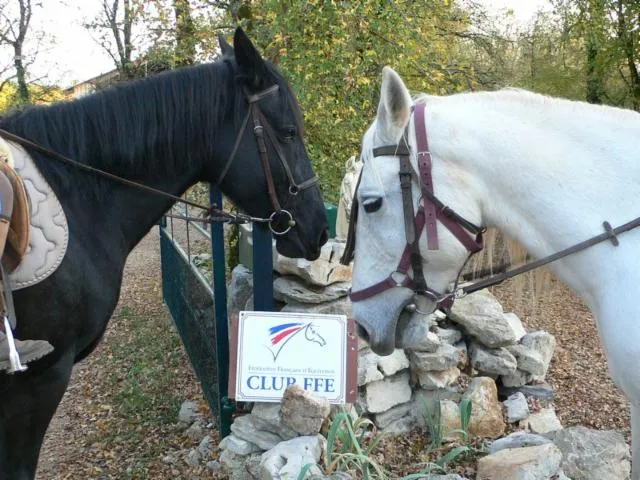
(278, 349)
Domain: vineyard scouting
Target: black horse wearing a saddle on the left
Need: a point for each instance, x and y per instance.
(168, 131)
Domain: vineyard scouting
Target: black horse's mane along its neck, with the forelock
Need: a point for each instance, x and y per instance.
(172, 116)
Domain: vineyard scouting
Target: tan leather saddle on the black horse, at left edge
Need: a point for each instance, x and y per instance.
(20, 225)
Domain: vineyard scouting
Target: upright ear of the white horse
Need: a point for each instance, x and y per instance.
(394, 109)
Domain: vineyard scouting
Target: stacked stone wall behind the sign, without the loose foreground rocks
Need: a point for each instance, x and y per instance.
(477, 338)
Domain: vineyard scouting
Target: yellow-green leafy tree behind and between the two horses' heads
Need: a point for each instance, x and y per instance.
(333, 53)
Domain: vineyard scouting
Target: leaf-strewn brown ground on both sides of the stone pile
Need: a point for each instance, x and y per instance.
(90, 438)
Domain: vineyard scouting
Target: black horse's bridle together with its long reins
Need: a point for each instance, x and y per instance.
(213, 213)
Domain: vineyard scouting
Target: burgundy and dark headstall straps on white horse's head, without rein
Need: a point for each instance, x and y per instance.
(431, 210)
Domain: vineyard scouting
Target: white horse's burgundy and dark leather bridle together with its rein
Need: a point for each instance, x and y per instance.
(430, 208)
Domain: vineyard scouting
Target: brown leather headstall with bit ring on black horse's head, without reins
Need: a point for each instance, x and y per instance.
(260, 126)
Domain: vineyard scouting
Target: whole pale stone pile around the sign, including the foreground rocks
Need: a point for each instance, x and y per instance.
(477, 352)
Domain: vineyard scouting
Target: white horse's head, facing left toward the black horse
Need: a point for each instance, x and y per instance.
(381, 229)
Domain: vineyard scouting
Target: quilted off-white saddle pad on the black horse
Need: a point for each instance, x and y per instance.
(49, 229)
